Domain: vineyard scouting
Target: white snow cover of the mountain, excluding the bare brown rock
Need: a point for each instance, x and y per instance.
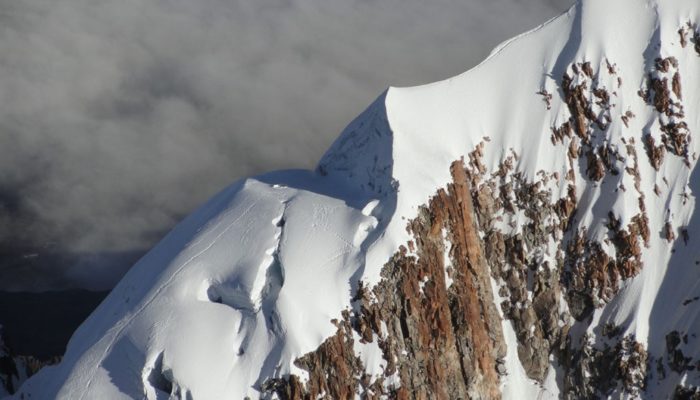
(250, 281)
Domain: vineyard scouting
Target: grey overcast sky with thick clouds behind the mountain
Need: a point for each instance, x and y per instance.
(119, 117)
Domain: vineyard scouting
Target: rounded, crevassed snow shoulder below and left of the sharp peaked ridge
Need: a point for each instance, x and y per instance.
(231, 297)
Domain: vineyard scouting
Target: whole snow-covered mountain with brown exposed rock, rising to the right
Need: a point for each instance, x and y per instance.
(524, 230)
